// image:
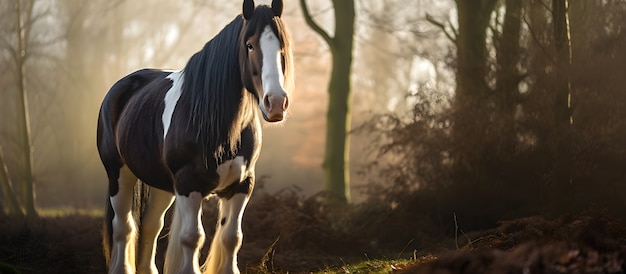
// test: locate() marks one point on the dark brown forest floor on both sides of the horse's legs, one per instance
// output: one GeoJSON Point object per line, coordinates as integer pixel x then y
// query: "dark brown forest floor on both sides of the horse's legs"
{"type": "Point", "coordinates": [588, 242]}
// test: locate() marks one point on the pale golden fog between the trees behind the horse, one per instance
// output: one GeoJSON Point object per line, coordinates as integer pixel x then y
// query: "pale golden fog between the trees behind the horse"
{"type": "Point", "coordinates": [75, 50]}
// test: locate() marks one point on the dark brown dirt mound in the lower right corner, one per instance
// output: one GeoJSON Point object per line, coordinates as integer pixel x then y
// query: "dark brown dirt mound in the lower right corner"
{"type": "Point", "coordinates": [589, 242]}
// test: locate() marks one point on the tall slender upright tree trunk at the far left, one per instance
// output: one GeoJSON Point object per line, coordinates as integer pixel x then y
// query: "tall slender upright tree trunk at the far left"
{"type": "Point", "coordinates": [27, 184]}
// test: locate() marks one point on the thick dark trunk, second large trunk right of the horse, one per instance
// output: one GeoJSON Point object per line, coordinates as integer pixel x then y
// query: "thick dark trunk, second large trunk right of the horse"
{"type": "Point", "coordinates": [471, 108]}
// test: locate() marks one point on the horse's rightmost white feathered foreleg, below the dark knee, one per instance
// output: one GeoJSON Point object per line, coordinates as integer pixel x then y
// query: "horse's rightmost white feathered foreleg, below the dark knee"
{"type": "Point", "coordinates": [228, 236]}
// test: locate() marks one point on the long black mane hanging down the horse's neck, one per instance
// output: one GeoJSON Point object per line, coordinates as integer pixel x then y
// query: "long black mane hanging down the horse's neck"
{"type": "Point", "coordinates": [213, 85]}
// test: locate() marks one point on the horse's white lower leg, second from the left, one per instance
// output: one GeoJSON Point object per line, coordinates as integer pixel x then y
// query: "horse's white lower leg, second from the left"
{"type": "Point", "coordinates": [151, 224]}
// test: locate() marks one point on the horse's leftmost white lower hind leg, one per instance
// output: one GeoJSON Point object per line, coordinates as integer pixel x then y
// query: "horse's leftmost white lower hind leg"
{"type": "Point", "coordinates": [124, 227]}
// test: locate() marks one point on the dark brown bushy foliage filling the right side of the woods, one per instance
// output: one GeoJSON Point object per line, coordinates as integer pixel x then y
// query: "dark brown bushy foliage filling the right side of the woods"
{"type": "Point", "coordinates": [485, 161]}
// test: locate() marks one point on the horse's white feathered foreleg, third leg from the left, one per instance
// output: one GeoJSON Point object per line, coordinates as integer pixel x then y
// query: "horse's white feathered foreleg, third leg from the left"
{"type": "Point", "coordinates": [187, 235]}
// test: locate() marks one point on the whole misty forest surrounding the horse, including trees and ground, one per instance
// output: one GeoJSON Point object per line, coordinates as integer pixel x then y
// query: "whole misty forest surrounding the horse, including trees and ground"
{"type": "Point", "coordinates": [485, 127]}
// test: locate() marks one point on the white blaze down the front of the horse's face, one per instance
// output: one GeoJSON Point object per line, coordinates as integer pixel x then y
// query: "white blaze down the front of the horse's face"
{"type": "Point", "coordinates": [272, 70]}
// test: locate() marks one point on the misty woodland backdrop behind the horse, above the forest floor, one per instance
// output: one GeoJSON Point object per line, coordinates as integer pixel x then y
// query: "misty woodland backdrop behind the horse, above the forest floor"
{"type": "Point", "coordinates": [491, 147]}
